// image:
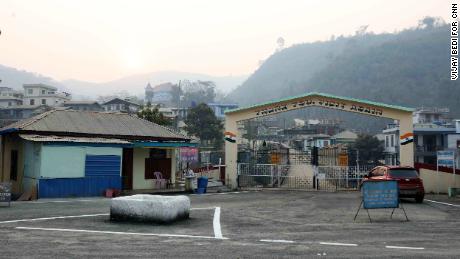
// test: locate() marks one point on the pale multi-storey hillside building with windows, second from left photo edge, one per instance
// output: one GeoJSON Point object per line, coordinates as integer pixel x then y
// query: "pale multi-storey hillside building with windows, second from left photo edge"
{"type": "Point", "coordinates": [41, 94]}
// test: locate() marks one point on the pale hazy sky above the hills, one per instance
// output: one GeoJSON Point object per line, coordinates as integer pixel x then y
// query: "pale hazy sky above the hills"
{"type": "Point", "coordinates": [104, 40]}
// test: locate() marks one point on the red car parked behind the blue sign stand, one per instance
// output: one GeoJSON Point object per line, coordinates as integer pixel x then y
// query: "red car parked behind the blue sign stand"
{"type": "Point", "coordinates": [410, 184]}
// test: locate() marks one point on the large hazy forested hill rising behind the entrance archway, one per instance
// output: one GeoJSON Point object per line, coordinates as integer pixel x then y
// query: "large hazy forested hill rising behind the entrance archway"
{"type": "Point", "coordinates": [409, 68]}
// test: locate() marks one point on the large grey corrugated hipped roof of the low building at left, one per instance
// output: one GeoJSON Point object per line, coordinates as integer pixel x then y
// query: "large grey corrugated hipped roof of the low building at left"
{"type": "Point", "coordinates": [95, 123]}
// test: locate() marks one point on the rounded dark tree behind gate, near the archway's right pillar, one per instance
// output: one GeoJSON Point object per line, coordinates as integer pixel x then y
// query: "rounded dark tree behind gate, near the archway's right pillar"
{"type": "Point", "coordinates": [370, 148]}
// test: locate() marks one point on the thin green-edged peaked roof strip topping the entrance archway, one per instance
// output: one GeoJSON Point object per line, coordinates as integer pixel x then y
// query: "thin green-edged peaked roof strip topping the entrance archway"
{"type": "Point", "coordinates": [378, 104]}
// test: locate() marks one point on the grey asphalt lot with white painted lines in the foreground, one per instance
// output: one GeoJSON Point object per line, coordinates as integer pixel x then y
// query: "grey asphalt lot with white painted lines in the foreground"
{"type": "Point", "coordinates": [235, 225]}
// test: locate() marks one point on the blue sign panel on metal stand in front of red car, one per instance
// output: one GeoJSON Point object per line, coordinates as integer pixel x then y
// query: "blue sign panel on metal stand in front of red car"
{"type": "Point", "coordinates": [380, 194]}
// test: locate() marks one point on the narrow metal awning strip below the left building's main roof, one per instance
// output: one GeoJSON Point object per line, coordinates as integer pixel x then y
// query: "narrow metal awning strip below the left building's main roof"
{"type": "Point", "coordinates": [41, 138]}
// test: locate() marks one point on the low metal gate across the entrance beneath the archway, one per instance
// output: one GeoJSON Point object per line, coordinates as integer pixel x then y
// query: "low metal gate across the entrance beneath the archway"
{"type": "Point", "coordinates": [328, 178]}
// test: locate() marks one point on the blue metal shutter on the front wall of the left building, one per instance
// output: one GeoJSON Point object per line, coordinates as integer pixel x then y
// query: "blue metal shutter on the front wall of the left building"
{"type": "Point", "coordinates": [102, 165]}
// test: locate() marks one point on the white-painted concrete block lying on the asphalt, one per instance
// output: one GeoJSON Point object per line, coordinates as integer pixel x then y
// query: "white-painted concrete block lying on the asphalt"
{"type": "Point", "coordinates": [150, 208]}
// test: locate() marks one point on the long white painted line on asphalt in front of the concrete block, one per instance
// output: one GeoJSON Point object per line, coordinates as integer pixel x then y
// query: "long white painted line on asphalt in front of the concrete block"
{"type": "Point", "coordinates": [116, 233]}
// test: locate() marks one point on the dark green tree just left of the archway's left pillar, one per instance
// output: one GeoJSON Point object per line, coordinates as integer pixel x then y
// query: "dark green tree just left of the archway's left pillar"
{"type": "Point", "coordinates": [202, 123]}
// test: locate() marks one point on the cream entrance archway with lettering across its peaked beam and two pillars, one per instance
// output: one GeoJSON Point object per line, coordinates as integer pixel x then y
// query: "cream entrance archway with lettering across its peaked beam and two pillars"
{"type": "Point", "coordinates": [382, 110]}
